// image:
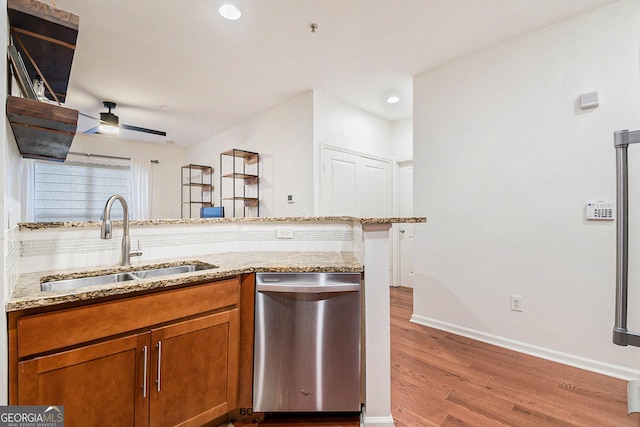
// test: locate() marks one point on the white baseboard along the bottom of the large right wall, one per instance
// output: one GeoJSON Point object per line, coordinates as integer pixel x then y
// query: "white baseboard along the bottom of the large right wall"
{"type": "Point", "coordinates": [592, 365]}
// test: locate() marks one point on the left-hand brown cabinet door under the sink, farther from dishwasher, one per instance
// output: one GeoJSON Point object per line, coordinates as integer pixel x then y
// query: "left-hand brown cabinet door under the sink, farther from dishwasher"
{"type": "Point", "coordinates": [98, 385]}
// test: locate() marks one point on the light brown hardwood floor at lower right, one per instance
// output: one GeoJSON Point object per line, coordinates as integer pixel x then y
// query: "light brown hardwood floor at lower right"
{"type": "Point", "coordinates": [442, 379]}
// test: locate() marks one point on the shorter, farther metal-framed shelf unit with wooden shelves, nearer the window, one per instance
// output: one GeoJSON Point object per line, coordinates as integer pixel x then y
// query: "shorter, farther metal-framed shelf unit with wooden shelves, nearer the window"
{"type": "Point", "coordinates": [197, 189]}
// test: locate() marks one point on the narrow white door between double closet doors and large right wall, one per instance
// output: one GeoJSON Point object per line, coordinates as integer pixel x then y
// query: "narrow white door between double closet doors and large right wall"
{"type": "Point", "coordinates": [405, 181]}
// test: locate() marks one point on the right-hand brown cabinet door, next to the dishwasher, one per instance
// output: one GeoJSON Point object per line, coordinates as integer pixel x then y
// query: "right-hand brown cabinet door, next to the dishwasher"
{"type": "Point", "coordinates": [195, 370]}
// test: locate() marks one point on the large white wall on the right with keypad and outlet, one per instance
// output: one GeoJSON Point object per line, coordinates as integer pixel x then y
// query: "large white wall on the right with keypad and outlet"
{"type": "Point", "coordinates": [504, 164]}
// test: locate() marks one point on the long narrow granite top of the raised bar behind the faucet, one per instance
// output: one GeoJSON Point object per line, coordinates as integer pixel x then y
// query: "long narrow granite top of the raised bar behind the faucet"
{"type": "Point", "coordinates": [151, 222]}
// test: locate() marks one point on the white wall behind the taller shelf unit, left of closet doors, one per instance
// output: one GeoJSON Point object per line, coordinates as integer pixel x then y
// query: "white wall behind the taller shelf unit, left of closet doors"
{"type": "Point", "coordinates": [283, 138]}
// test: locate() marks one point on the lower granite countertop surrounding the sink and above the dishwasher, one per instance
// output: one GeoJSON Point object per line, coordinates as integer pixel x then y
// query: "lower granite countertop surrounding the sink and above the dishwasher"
{"type": "Point", "coordinates": [27, 293]}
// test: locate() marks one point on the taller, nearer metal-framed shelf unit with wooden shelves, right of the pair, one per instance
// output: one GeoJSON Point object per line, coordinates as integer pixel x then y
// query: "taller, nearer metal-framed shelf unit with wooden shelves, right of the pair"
{"type": "Point", "coordinates": [244, 173]}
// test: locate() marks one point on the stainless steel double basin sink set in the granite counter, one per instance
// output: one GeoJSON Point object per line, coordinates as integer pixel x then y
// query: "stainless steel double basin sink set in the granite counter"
{"type": "Point", "coordinates": [149, 272]}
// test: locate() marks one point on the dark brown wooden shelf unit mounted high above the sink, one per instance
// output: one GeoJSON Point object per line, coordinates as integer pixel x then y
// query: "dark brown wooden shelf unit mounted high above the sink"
{"type": "Point", "coordinates": [45, 38]}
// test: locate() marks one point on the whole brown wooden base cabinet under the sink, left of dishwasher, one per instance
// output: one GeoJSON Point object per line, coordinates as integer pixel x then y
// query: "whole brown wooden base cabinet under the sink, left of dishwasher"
{"type": "Point", "coordinates": [118, 368]}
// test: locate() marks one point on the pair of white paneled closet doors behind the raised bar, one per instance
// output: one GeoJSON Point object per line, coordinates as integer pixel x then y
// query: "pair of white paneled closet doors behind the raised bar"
{"type": "Point", "coordinates": [355, 185]}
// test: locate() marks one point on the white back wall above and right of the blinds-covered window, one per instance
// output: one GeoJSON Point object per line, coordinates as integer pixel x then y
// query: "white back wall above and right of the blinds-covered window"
{"type": "Point", "coordinates": [165, 175]}
